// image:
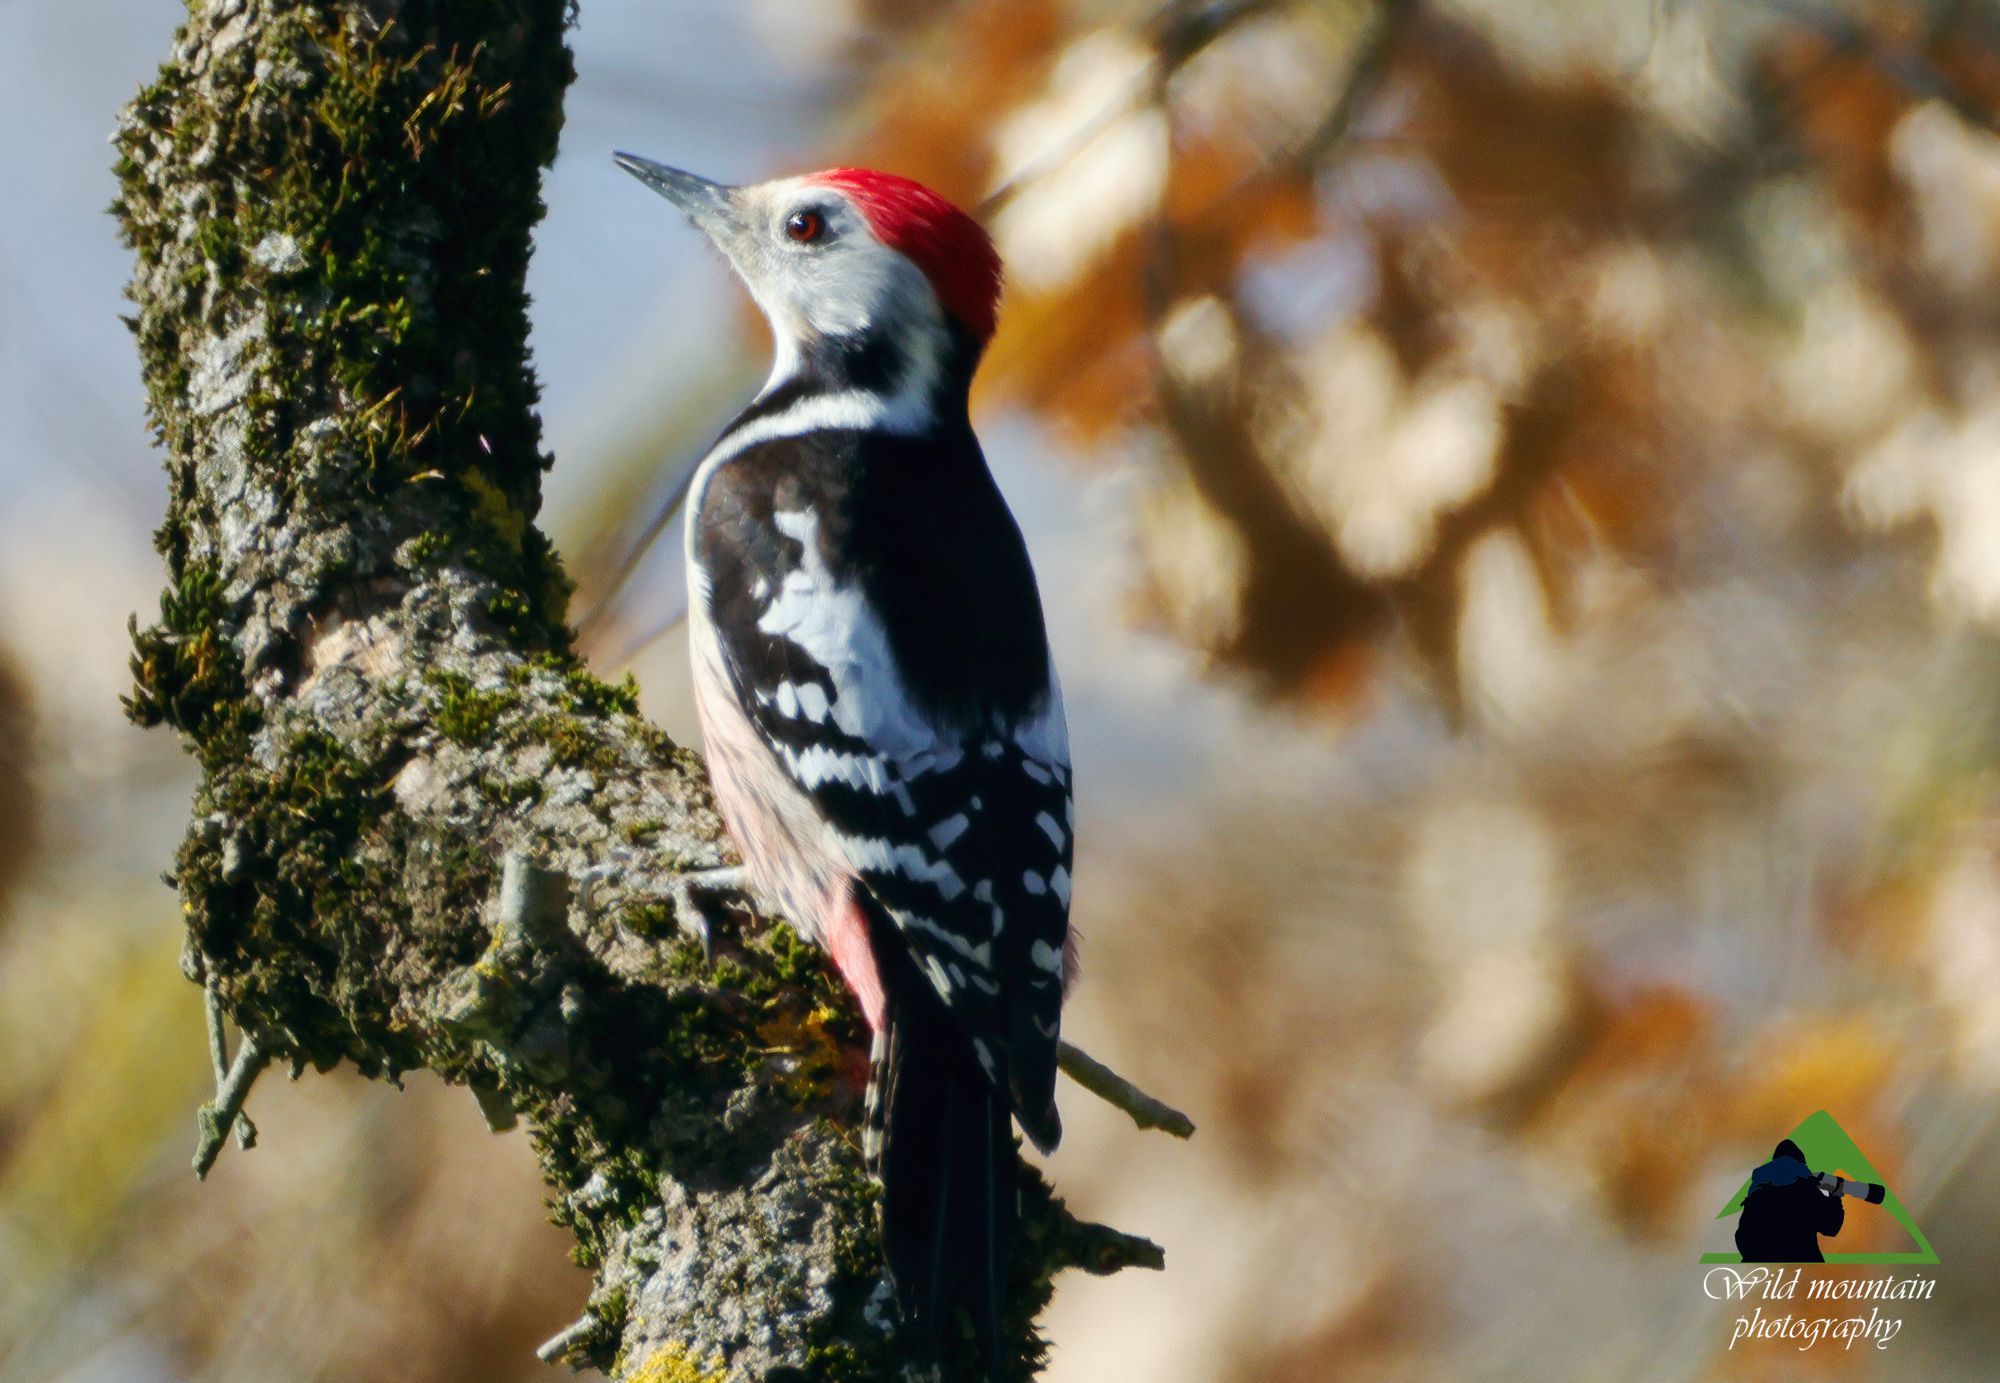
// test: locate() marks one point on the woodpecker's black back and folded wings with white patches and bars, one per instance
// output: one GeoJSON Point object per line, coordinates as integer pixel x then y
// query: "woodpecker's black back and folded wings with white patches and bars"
{"type": "Point", "coordinates": [879, 617]}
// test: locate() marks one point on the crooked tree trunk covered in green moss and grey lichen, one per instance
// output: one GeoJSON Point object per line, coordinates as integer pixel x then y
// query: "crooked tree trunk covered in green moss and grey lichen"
{"type": "Point", "coordinates": [365, 647]}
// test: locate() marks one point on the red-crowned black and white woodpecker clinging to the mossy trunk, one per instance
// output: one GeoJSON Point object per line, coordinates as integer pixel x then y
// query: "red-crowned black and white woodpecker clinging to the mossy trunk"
{"type": "Point", "coordinates": [879, 702]}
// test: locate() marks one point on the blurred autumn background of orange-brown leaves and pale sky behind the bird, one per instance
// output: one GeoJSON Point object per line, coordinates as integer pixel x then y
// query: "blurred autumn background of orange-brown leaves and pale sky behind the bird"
{"type": "Point", "coordinates": [1517, 487]}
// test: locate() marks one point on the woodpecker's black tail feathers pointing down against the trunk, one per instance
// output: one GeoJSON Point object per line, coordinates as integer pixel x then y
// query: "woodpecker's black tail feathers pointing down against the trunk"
{"type": "Point", "coordinates": [951, 1180]}
